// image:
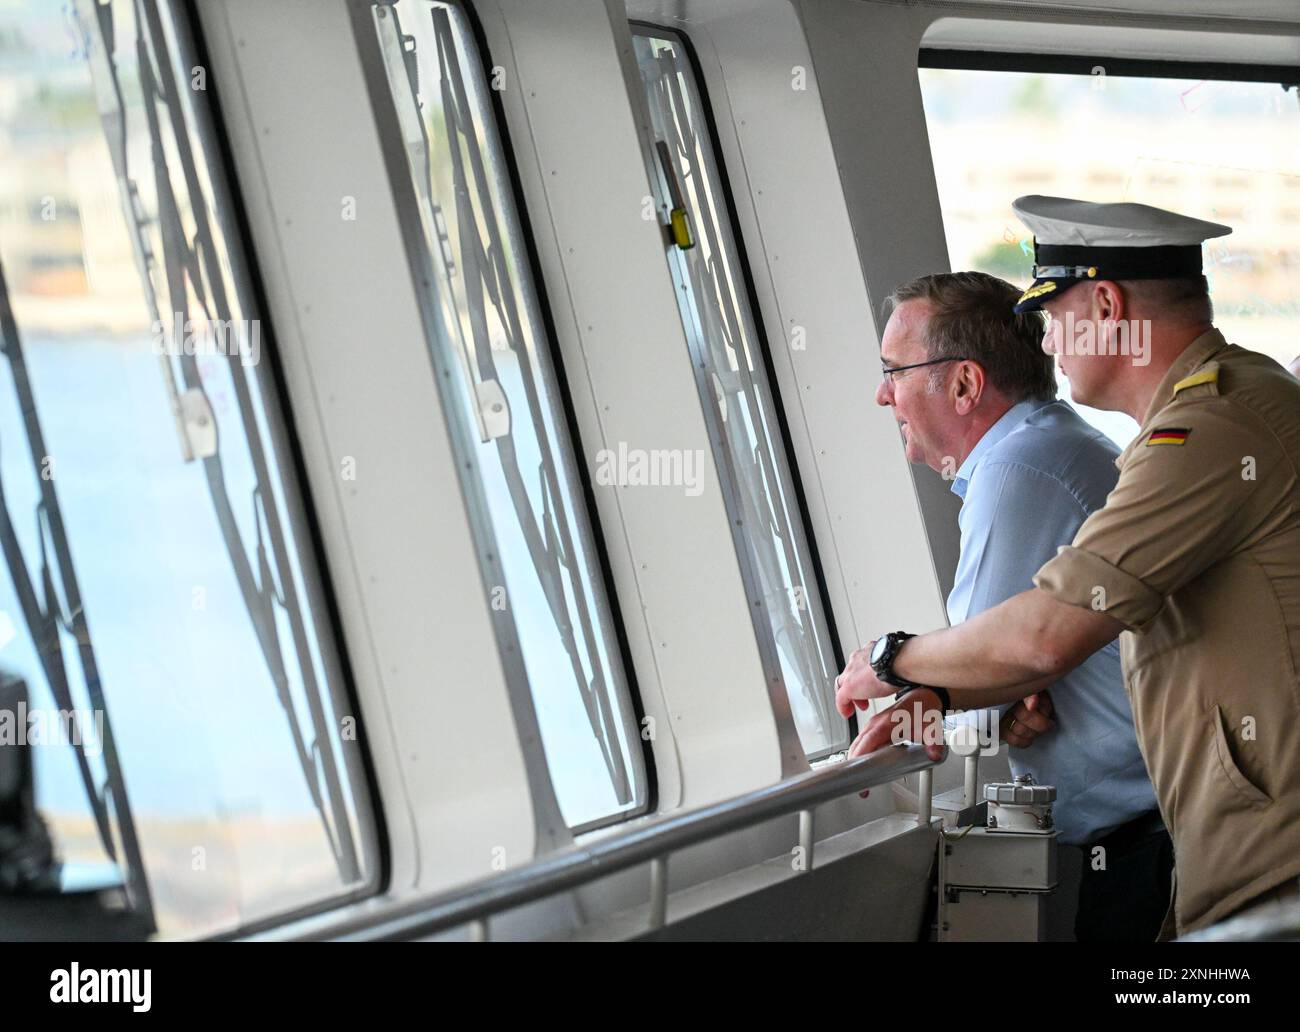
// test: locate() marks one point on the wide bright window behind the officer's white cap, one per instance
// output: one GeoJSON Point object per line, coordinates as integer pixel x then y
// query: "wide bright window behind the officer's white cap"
{"type": "Point", "coordinates": [1228, 151]}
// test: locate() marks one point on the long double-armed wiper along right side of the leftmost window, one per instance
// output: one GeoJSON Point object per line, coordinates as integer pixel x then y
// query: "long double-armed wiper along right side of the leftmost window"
{"type": "Point", "coordinates": [196, 266]}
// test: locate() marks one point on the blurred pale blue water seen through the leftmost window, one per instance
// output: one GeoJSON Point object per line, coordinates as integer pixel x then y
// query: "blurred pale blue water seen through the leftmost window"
{"type": "Point", "coordinates": [194, 710]}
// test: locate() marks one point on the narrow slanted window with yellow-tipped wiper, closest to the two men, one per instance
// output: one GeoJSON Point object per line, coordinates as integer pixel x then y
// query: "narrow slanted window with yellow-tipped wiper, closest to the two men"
{"type": "Point", "coordinates": [736, 394]}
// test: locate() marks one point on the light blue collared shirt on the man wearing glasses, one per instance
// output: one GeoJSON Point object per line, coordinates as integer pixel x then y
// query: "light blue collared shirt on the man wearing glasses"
{"type": "Point", "coordinates": [1026, 489]}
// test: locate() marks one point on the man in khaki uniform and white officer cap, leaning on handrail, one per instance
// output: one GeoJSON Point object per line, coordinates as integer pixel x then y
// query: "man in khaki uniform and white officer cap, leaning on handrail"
{"type": "Point", "coordinates": [1197, 556]}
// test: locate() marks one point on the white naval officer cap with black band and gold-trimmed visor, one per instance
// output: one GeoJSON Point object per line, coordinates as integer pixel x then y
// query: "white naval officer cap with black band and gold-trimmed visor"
{"type": "Point", "coordinates": [1076, 241]}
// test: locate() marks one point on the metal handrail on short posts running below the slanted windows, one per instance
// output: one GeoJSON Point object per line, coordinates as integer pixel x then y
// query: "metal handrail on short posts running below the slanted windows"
{"type": "Point", "coordinates": [652, 843]}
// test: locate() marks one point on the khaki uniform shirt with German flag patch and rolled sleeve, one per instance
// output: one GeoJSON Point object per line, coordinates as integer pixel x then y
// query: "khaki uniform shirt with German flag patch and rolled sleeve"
{"type": "Point", "coordinates": [1198, 553]}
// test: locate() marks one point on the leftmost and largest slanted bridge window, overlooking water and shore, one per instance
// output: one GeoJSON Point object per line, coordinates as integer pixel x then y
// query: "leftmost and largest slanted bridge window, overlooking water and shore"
{"type": "Point", "coordinates": [174, 722]}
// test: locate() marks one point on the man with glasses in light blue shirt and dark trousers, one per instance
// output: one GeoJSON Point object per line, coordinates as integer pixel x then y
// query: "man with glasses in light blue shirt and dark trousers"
{"type": "Point", "coordinates": [976, 397]}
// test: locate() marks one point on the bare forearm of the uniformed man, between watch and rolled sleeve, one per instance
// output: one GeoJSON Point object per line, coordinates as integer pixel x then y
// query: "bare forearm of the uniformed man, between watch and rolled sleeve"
{"type": "Point", "coordinates": [1007, 653]}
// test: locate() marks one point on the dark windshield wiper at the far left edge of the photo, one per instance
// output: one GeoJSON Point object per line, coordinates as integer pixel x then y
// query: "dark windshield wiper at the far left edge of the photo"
{"type": "Point", "coordinates": [45, 615]}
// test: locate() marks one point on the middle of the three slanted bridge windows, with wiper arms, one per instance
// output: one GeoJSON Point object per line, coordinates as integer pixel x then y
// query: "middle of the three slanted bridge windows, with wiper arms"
{"type": "Point", "coordinates": [489, 348]}
